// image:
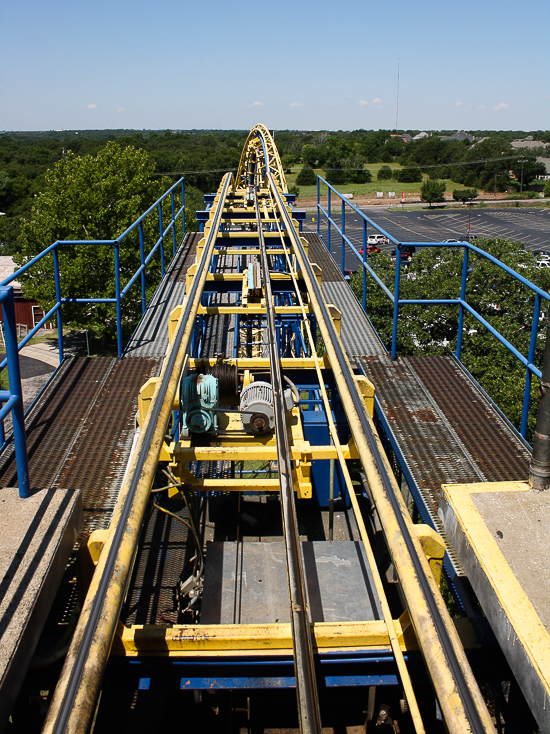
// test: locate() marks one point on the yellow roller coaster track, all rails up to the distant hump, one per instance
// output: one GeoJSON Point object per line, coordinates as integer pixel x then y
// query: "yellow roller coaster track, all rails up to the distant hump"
{"type": "Point", "coordinates": [260, 180]}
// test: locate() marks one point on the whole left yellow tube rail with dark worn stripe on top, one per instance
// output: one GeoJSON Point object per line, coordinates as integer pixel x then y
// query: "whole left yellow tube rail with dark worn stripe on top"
{"type": "Point", "coordinates": [76, 693]}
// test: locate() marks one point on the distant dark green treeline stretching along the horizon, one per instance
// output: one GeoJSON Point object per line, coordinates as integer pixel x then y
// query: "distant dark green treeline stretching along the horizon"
{"type": "Point", "coordinates": [203, 156]}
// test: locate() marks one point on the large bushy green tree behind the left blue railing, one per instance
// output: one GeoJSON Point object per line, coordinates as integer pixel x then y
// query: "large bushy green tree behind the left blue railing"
{"type": "Point", "coordinates": [90, 198]}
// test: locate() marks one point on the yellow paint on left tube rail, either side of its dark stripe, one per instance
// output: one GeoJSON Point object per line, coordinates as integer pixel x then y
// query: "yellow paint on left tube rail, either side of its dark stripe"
{"type": "Point", "coordinates": [88, 687]}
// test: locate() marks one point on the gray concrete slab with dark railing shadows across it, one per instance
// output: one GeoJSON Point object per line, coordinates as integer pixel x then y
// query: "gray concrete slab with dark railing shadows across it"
{"type": "Point", "coordinates": [37, 535]}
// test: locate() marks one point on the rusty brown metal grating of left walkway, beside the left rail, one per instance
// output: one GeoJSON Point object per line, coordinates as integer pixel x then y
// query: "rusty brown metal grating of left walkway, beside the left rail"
{"type": "Point", "coordinates": [79, 434]}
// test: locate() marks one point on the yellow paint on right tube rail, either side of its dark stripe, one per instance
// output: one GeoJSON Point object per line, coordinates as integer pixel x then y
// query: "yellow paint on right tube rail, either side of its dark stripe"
{"type": "Point", "coordinates": [442, 677]}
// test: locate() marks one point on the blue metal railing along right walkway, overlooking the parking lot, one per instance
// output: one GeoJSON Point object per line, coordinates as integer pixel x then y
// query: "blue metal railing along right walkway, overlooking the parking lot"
{"type": "Point", "coordinates": [463, 305]}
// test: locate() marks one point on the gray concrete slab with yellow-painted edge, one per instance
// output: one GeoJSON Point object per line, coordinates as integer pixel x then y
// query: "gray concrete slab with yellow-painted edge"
{"type": "Point", "coordinates": [499, 531]}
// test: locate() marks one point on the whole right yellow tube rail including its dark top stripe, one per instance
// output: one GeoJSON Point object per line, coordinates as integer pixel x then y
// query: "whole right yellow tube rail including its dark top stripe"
{"type": "Point", "coordinates": [459, 697]}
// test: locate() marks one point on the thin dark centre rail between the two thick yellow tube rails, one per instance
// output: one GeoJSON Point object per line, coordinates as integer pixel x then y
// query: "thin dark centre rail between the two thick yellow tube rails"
{"type": "Point", "coordinates": [306, 684]}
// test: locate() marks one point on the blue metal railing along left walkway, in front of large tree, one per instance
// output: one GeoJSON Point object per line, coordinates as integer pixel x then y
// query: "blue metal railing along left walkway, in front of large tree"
{"type": "Point", "coordinates": [120, 291]}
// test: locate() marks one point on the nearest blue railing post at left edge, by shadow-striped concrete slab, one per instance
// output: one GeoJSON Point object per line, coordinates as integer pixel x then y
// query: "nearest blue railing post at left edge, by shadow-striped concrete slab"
{"type": "Point", "coordinates": [16, 390]}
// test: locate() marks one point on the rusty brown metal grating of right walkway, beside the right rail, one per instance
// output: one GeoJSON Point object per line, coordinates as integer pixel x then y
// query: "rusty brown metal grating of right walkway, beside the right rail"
{"type": "Point", "coordinates": [447, 430]}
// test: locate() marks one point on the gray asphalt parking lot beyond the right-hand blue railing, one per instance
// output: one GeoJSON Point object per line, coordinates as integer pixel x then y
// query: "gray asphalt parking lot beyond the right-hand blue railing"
{"type": "Point", "coordinates": [531, 226]}
